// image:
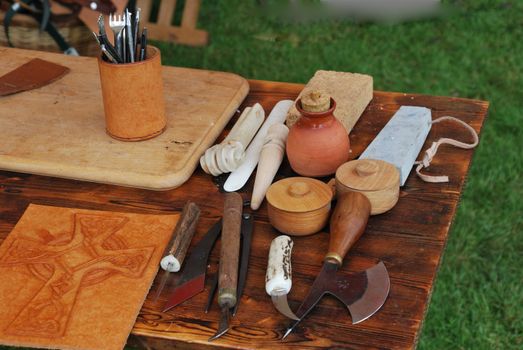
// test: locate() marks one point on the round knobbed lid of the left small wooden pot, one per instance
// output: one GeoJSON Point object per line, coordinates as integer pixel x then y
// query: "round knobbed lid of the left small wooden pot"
{"type": "Point", "coordinates": [299, 194]}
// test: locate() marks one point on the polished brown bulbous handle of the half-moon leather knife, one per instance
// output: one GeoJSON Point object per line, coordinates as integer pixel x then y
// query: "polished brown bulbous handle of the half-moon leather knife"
{"type": "Point", "coordinates": [348, 222]}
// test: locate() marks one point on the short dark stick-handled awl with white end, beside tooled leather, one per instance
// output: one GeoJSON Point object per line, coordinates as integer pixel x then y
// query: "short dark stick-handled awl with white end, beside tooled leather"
{"type": "Point", "coordinates": [180, 241]}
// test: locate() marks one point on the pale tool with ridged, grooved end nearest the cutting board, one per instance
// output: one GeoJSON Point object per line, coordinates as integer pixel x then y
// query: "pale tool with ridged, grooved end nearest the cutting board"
{"type": "Point", "coordinates": [228, 155]}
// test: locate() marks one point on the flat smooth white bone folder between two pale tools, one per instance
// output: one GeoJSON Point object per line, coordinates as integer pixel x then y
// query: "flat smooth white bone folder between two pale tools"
{"type": "Point", "coordinates": [239, 177]}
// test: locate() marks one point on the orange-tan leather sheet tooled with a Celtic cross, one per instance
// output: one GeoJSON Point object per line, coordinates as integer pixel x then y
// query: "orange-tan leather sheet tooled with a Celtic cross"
{"type": "Point", "coordinates": [76, 279]}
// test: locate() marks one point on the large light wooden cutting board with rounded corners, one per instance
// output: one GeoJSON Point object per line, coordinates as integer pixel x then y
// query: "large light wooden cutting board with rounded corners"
{"type": "Point", "coordinates": [59, 130]}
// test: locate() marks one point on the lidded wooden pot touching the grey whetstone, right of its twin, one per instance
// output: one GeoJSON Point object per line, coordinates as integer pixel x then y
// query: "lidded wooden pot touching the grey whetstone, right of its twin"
{"type": "Point", "coordinates": [379, 181]}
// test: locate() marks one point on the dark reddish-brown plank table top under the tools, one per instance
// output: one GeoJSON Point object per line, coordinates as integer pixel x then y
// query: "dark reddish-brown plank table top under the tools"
{"type": "Point", "coordinates": [410, 240]}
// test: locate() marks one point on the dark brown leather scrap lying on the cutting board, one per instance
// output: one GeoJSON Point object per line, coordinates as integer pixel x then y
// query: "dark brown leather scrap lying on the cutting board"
{"type": "Point", "coordinates": [31, 75]}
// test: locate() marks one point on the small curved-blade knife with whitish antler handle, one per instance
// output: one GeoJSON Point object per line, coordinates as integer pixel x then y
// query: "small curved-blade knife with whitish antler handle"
{"type": "Point", "coordinates": [278, 279]}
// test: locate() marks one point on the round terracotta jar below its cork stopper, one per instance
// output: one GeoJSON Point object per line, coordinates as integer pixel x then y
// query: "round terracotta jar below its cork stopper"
{"type": "Point", "coordinates": [318, 143]}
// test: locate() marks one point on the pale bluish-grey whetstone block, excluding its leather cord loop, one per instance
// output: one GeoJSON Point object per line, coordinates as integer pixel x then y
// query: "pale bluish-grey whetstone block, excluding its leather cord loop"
{"type": "Point", "coordinates": [400, 141]}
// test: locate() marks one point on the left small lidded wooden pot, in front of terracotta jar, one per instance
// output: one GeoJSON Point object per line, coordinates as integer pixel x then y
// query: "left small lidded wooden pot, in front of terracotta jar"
{"type": "Point", "coordinates": [299, 206]}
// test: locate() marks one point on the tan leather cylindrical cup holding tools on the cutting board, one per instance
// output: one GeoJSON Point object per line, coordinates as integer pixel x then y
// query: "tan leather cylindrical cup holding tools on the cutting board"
{"type": "Point", "coordinates": [133, 97]}
